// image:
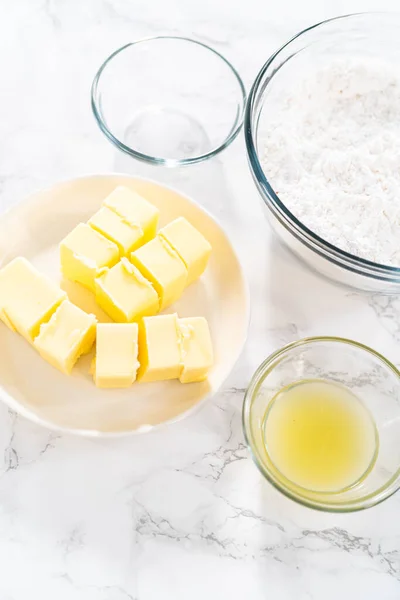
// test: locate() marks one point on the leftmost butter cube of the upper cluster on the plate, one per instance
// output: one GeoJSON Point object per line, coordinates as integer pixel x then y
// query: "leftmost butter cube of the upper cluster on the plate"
{"type": "Point", "coordinates": [84, 253]}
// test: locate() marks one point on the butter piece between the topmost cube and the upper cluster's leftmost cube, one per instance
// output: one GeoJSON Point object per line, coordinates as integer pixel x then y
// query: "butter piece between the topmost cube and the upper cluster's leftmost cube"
{"type": "Point", "coordinates": [125, 235]}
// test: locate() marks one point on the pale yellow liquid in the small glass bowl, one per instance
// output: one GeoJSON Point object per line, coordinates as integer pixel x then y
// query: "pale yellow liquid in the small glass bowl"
{"type": "Point", "coordinates": [320, 436]}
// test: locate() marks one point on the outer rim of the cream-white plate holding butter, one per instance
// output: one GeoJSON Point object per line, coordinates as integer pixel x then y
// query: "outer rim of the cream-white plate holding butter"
{"type": "Point", "coordinates": [17, 407]}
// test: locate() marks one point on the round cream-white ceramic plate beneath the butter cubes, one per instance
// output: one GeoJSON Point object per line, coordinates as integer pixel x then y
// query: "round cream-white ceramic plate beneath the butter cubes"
{"type": "Point", "coordinates": [38, 391]}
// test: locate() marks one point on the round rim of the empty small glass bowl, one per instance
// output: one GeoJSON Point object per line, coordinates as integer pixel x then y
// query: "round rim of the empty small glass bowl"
{"type": "Point", "coordinates": [157, 160]}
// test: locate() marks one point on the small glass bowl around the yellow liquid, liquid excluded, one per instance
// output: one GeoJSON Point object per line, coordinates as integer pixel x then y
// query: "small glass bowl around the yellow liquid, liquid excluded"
{"type": "Point", "coordinates": [370, 376]}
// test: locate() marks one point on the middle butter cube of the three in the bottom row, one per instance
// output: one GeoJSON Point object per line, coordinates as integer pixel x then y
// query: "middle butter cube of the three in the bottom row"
{"type": "Point", "coordinates": [159, 348]}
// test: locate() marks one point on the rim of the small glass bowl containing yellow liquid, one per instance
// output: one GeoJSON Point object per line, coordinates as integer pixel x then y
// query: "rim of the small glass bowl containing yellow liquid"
{"type": "Point", "coordinates": [266, 367]}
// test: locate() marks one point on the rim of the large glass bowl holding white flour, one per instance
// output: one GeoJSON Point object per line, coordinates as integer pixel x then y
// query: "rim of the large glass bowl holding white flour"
{"type": "Point", "coordinates": [332, 253]}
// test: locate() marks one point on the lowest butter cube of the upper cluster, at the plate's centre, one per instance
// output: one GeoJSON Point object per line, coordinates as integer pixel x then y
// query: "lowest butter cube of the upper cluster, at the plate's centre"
{"type": "Point", "coordinates": [124, 294]}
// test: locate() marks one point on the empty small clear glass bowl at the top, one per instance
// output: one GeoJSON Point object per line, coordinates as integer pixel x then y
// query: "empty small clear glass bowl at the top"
{"type": "Point", "coordinates": [168, 100]}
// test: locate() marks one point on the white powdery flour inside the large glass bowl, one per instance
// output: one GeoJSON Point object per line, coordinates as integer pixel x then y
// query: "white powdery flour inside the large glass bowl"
{"type": "Point", "coordinates": [332, 155]}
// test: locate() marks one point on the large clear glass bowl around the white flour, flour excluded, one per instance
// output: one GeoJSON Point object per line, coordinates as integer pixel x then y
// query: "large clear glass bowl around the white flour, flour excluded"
{"type": "Point", "coordinates": [361, 35]}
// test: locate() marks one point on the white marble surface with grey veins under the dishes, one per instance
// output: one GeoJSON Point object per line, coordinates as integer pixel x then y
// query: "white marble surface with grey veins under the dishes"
{"type": "Point", "coordinates": [182, 512]}
